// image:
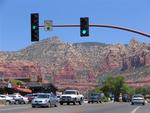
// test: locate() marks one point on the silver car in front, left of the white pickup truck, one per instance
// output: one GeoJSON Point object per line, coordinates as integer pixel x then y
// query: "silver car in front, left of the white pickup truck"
{"type": "Point", "coordinates": [45, 100]}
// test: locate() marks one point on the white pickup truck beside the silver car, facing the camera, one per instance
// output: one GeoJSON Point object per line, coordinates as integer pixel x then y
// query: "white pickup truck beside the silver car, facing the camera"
{"type": "Point", "coordinates": [71, 96]}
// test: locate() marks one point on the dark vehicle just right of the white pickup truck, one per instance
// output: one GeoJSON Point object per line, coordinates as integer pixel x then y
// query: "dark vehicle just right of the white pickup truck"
{"type": "Point", "coordinates": [94, 98]}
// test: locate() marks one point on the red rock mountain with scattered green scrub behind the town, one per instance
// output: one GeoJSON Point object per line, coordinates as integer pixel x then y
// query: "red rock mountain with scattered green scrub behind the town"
{"type": "Point", "coordinates": [78, 65]}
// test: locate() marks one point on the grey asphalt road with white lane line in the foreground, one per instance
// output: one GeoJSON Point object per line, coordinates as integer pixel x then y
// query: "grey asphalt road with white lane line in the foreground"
{"type": "Point", "coordinates": [85, 108]}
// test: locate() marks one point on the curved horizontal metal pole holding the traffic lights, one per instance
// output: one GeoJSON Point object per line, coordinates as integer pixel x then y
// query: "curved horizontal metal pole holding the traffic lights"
{"type": "Point", "coordinates": [105, 26]}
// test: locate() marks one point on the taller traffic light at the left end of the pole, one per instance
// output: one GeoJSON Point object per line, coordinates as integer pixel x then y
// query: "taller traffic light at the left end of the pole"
{"type": "Point", "coordinates": [34, 27]}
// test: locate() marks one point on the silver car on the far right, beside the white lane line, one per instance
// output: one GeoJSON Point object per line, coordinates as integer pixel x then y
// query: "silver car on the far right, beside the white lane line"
{"type": "Point", "coordinates": [137, 99]}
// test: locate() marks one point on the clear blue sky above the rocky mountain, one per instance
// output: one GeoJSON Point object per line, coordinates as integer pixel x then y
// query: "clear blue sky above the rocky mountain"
{"type": "Point", "coordinates": [15, 20]}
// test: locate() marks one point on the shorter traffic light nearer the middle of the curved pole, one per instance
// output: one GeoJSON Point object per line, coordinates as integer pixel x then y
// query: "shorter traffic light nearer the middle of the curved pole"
{"type": "Point", "coordinates": [84, 26]}
